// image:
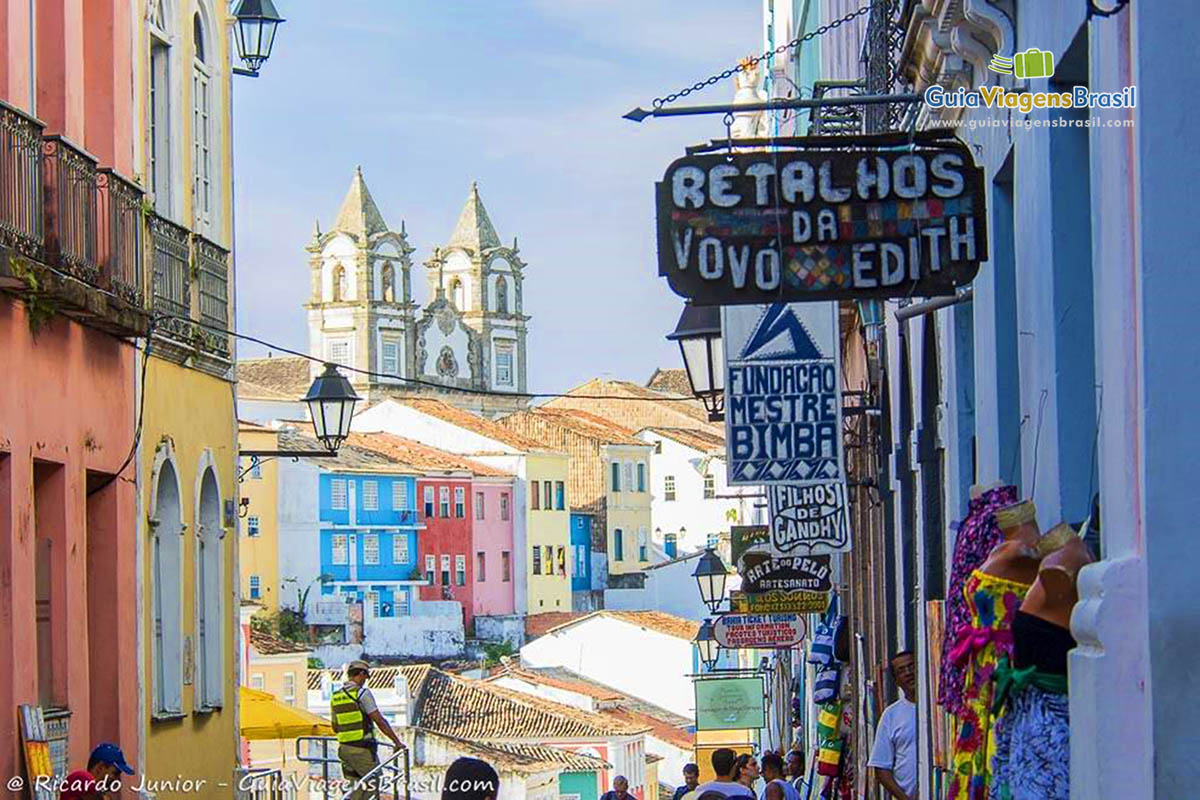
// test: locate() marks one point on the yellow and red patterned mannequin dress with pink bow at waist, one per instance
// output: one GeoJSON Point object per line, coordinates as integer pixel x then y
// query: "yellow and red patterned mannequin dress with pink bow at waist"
{"type": "Point", "coordinates": [993, 604]}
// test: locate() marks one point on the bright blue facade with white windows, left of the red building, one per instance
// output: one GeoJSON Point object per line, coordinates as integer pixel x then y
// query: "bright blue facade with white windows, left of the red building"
{"type": "Point", "coordinates": [369, 530]}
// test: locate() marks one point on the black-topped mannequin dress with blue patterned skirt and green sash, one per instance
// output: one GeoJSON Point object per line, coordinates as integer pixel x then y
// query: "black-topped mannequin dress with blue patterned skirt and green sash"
{"type": "Point", "coordinates": [1034, 736]}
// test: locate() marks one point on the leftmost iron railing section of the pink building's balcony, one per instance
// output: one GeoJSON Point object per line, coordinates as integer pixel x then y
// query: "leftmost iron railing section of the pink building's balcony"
{"type": "Point", "coordinates": [21, 182]}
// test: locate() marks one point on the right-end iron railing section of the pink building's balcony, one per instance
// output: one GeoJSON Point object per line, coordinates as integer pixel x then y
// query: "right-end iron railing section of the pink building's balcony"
{"type": "Point", "coordinates": [122, 236]}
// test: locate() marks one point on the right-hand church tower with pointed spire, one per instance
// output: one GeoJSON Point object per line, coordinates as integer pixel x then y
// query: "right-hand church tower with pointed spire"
{"type": "Point", "coordinates": [482, 280]}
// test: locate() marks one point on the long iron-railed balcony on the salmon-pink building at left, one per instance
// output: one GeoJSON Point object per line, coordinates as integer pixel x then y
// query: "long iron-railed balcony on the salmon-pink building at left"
{"type": "Point", "coordinates": [71, 236]}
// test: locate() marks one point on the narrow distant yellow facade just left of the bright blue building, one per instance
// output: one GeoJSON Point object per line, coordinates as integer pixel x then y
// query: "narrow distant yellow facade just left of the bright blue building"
{"type": "Point", "coordinates": [259, 539]}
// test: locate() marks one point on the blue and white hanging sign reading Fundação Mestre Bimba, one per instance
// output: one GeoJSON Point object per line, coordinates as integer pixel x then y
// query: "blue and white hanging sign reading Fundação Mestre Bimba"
{"type": "Point", "coordinates": [783, 394]}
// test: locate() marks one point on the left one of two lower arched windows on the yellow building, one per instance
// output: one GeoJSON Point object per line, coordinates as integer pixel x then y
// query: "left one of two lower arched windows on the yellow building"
{"type": "Point", "coordinates": [166, 600]}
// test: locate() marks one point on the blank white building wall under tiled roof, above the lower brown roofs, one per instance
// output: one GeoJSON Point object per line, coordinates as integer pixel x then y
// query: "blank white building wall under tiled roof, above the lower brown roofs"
{"type": "Point", "coordinates": [634, 660]}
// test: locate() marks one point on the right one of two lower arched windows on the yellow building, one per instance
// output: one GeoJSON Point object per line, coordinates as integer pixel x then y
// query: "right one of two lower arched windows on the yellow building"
{"type": "Point", "coordinates": [209, 606]}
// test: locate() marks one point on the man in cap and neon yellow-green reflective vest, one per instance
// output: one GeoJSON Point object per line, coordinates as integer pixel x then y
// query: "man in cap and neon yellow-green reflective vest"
{"type": "Point", "coordinates": [356, 717]}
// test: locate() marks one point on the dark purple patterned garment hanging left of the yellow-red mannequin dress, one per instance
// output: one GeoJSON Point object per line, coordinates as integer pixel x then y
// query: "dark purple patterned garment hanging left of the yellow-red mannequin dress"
{"type": "Point", "coordinates": [977, 537]}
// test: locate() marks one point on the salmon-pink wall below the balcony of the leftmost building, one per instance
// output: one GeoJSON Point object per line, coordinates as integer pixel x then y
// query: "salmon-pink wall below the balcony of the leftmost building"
{"type": "Point", "coordinates": [64, 426]}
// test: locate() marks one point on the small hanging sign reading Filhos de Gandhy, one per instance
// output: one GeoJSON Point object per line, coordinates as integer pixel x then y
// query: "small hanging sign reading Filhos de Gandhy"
{"type": "Point", "coordinates": [807, 520]}
